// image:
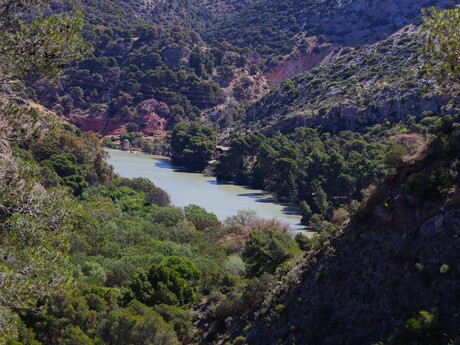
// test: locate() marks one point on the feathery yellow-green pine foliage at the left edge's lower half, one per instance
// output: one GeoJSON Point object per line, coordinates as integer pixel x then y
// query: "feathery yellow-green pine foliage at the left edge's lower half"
{"type": "Point", "coordinates": [35, 226]}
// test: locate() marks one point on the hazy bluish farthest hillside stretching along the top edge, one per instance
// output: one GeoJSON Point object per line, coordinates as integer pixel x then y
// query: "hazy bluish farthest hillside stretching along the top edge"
{"type": "Point", "coordinates": [273, 29]}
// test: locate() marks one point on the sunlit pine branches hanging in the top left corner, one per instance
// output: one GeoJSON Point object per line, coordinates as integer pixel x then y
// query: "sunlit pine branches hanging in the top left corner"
{"type": "Point", "coordinates": [34, 43]}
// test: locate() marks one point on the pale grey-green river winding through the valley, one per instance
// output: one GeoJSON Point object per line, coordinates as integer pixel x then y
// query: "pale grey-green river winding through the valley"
{"type": "Point", "coordinates": [185, 188]}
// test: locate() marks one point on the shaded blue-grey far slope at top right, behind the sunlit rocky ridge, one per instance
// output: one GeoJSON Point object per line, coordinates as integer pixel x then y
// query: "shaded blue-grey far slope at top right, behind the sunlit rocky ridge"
{"type": "Point", "coordinates": [271, 27]}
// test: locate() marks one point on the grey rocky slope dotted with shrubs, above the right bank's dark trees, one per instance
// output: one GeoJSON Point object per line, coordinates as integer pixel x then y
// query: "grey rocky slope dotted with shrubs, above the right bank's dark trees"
{"type": "Point", "coordinates": [384, 81]}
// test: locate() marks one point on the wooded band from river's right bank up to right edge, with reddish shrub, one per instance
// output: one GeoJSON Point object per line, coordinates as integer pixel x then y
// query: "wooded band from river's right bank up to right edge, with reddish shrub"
{"type": "Point", "coordinates": [326, 174]}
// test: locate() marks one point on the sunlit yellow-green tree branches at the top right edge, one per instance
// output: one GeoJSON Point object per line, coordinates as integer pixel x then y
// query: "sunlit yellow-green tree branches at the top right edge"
{"type": "Point", "coordinates": [442, 30]}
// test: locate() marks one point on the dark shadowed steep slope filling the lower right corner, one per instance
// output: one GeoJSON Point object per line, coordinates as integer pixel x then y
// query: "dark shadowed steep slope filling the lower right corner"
{"type": "Point", "coordinates": [392, 276]}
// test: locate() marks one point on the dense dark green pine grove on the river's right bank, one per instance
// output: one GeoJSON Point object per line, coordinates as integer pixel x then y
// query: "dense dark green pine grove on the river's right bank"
{"type": "Point", "coordinates": [307, 166]}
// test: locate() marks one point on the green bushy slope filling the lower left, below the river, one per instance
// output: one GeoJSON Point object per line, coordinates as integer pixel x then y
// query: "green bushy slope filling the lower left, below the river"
{"type": "Point", "coordinates": [91, 258]}
